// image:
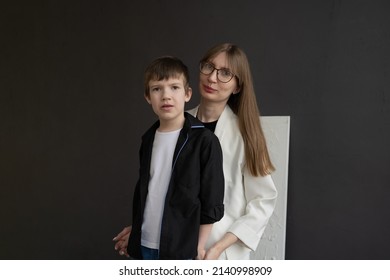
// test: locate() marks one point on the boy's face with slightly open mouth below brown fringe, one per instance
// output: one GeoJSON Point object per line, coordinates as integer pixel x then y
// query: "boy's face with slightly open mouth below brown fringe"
{"type": "Point", "coordinates": [168, 98]}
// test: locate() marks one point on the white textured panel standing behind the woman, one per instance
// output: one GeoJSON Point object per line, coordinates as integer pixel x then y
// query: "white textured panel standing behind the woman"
{"type": "Point", "coordinates": [277, 134]}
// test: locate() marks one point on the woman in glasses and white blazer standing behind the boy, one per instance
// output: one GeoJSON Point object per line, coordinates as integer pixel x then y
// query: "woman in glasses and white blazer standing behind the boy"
{"type": "Point", "coordinates": [228, 107]}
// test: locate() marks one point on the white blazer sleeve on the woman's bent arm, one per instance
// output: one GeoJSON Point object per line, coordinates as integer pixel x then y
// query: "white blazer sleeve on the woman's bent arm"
{"type": "Point", "coordinates": [261, 194]}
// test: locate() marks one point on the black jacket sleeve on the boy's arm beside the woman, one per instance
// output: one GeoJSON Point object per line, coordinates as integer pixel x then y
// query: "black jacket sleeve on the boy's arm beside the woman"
{"type": "Point", "coordinates": [212, 181]}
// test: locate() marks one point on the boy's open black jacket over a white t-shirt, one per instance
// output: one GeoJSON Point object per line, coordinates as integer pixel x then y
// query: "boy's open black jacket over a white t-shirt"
{"type": "Point", "coordinates": [195, 192]}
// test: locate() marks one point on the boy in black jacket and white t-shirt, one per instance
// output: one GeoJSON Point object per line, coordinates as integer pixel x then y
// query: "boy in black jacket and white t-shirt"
{"type": "Point", "coordinates": [179, 193]}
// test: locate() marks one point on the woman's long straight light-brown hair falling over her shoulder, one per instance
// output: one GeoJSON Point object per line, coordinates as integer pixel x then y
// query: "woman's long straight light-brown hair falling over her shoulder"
{"type": "Point", "coordinates": [244, 105]}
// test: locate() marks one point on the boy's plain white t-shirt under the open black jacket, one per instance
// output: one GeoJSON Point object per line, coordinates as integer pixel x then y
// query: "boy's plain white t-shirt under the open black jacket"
{"type": "Point", "coordinates": [160, 174]}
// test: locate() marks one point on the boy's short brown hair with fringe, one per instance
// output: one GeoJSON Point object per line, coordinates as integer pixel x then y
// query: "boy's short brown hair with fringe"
{"type": "Point", "coordinates": [164, 68]}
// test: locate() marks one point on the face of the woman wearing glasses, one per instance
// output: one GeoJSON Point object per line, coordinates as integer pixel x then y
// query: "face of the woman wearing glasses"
{"type": "Point", "coordinates": [211, 89]}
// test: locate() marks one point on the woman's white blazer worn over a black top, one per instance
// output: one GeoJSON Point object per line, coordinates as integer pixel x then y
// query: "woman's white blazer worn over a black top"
{"type": "Point", "coordinates": [249, 201]}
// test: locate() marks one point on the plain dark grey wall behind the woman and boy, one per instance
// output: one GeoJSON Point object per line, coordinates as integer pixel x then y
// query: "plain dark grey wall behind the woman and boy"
{"type": "Point", "coordinates": [72, 113]}
